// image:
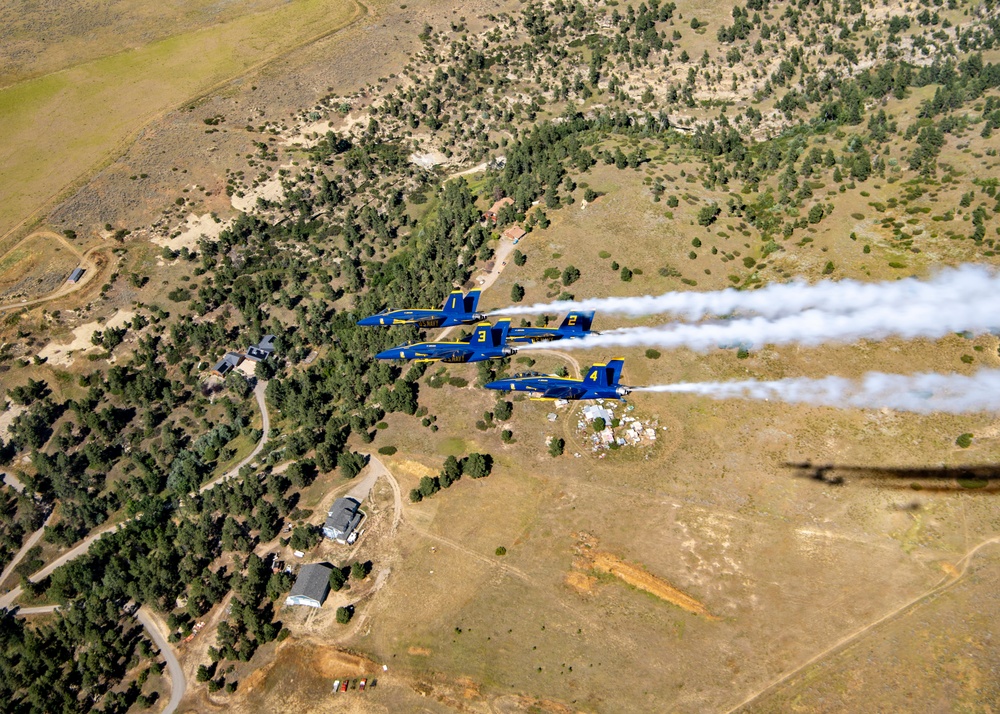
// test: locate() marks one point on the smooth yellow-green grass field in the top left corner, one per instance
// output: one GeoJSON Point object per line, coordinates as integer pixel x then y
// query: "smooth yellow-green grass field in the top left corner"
{"type": "Point", "coordinates": [59, 126]}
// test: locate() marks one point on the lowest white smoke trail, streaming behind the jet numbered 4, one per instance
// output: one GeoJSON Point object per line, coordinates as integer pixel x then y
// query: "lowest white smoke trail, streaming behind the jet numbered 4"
{"type": "Point", "coordinates": [922, 393]}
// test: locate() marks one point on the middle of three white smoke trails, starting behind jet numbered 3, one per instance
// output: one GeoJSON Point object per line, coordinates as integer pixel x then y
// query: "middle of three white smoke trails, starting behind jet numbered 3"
{"type": "Point", "coordinates": [812, 327]}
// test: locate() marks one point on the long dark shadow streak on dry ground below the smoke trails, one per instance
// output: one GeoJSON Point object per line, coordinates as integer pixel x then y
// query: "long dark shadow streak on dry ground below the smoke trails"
{"type": "Point", "coordinates": [933, 479]}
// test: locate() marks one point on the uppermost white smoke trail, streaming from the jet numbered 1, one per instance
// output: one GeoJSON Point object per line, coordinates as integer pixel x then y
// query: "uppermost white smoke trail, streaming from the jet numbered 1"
{"type": "Point", "coordinates": [956, 285]}
